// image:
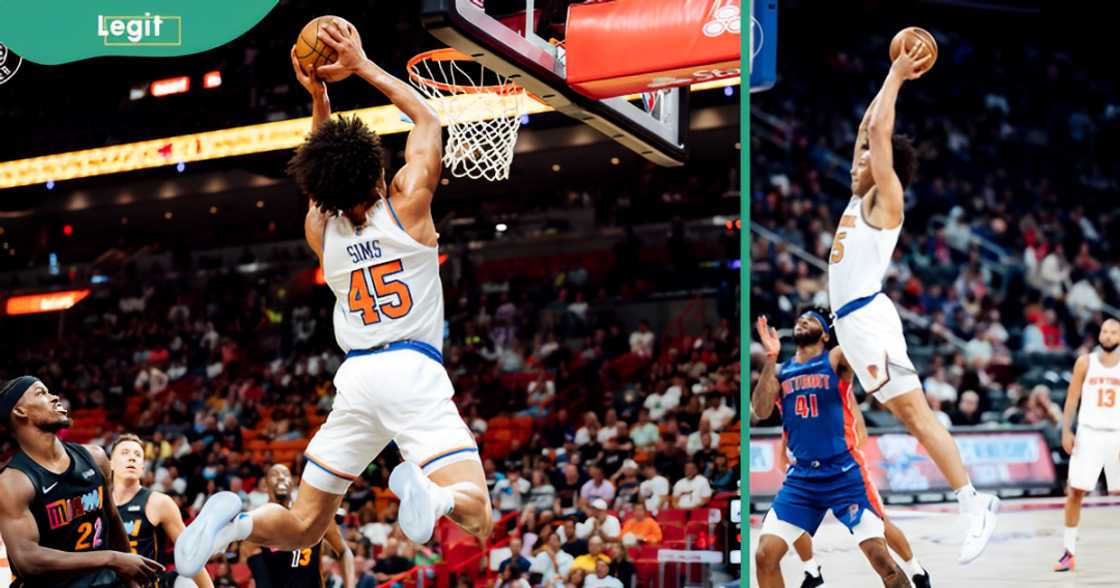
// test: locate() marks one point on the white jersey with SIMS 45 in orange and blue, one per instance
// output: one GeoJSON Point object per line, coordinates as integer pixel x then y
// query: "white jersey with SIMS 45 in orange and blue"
{"type": "Point", "coordinates": [387, 285]}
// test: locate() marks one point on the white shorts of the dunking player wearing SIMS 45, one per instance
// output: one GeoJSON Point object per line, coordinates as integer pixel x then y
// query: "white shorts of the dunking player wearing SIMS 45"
{"type": "Point", "coordinates": [396, 396]}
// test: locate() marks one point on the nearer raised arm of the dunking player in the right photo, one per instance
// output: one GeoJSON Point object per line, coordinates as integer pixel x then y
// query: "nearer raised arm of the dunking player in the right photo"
{"type": "Point", "coordinates": [889, 199]}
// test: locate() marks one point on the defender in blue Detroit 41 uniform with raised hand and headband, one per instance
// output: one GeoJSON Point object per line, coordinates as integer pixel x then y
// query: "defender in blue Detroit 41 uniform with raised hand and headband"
{"type": "Point", "coordinates": [829, 472]}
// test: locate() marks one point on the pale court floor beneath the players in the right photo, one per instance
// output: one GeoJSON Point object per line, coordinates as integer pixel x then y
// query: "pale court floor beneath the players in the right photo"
{"type": "Point", "coordinates": [1023, 552]}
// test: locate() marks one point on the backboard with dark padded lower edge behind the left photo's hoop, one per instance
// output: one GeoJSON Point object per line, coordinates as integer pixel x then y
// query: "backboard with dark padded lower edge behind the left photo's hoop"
{"type": "Point", "coordinates": [512, 48]}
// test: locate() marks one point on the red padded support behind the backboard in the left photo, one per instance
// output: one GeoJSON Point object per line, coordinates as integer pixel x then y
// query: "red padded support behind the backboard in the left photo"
{"type": "Point", "coordinates": [630, 46]}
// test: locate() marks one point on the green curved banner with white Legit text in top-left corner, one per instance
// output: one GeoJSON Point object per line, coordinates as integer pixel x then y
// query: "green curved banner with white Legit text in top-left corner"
{"type": "Point", "coordinates": [58, 32]}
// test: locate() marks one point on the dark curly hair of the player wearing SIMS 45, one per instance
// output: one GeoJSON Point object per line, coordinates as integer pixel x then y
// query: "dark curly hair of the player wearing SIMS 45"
{"type": "Point", "coordinates": [339, 165]}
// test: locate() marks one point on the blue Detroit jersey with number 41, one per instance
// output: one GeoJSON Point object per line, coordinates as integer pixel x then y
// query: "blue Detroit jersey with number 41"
{"type": "Point", "coordinates": [817, 416]}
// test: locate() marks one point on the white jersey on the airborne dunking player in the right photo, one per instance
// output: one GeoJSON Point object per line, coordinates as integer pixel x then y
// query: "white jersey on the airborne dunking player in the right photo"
{"type": "Point", "coordinates": [861, 257]}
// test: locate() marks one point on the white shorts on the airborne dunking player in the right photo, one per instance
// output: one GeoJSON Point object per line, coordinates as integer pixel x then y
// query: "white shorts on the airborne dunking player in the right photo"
{"type": "Point", "coordinates": [873, 341]}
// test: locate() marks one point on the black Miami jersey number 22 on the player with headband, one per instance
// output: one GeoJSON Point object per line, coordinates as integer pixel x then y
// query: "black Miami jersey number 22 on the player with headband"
{"type": "Point", "coordinates": [70, 512]}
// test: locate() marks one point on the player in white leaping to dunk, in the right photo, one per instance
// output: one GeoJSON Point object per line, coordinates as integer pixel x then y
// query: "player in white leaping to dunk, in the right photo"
{"type": "Point", "coordinates": [866, 321]}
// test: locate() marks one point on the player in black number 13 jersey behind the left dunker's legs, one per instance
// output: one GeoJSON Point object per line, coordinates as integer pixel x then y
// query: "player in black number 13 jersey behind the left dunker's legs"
{"type": "Point", "coordinates": [302, 568]}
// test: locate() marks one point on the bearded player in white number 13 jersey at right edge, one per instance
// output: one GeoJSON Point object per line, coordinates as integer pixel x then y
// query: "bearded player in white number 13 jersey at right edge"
{"type": "Point", "coordinates": [1096, 385]}
